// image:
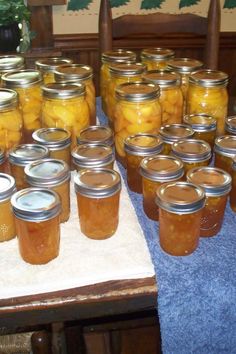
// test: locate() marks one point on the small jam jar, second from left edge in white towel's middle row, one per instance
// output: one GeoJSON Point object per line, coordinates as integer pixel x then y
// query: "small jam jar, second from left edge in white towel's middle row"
{"type": "Point", "coordinates": [20, 156]}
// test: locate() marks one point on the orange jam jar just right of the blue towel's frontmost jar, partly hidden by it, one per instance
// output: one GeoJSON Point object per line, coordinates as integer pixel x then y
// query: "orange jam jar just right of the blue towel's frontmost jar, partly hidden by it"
{"type": "Point", "coordinates": [217, 184]}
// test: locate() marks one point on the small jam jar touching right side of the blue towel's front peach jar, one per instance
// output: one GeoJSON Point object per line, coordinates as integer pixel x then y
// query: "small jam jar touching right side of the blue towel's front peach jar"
{"type": "Point", "coordinates": [170, 133]}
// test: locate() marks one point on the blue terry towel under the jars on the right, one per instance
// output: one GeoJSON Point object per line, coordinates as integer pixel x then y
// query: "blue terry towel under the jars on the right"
{"type": "Point", "coordinates": [196, 293]}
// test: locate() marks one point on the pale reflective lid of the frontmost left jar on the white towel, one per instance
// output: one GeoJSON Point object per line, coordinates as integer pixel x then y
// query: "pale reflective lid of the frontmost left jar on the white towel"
{"type": "Point", "coordinates": [36, 204]}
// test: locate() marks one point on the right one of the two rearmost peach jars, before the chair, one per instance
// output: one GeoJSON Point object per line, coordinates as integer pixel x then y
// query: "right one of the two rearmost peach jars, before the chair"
{"type": "Point", "coordinates": [156, 58]}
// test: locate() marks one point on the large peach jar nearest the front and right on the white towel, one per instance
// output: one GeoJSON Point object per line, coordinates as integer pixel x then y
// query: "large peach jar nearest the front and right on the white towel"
{"type": "Point", "coordinates": [64, 106]}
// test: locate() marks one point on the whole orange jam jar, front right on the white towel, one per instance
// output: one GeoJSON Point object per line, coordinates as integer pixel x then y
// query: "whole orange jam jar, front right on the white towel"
{"type": "Point", "coordinates": [98, 197]}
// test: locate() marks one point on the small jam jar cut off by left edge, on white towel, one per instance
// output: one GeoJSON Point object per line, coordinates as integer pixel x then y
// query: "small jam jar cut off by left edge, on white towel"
{"type": "Point", "coordinates": [7, 223]}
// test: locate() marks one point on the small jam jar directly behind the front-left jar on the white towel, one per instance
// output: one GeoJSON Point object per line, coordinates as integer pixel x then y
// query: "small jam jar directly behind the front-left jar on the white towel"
{"type": "Point", "coordinates": [53, 174]}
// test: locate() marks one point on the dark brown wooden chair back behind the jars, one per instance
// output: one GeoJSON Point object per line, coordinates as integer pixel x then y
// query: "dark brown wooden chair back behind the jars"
{"type": "Point", "coordinates": [163, 25]}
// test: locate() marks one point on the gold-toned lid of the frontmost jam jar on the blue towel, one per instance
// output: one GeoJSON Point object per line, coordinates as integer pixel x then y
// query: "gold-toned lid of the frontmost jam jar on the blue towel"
{"type": "Point", "coordinates": [180, 197]}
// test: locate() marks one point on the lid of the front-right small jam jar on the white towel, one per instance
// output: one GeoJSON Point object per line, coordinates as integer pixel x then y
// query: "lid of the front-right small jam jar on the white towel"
{"type": "Point", "coordinates": [97, 182]}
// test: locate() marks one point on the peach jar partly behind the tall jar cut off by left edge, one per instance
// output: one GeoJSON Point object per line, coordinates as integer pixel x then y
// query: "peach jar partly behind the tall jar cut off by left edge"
{"type": "Point", "coordinates": [28, 85]}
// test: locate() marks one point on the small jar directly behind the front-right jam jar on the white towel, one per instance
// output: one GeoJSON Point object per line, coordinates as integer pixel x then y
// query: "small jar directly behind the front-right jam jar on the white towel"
{"type": "Point", "coordinates": [93, 155]}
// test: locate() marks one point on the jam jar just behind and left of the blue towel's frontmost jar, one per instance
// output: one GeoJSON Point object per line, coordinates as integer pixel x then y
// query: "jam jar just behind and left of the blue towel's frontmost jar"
{"type": "Point", "coordinates": [155, 171]}
